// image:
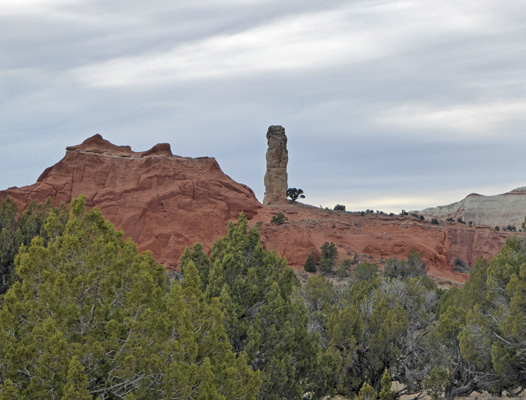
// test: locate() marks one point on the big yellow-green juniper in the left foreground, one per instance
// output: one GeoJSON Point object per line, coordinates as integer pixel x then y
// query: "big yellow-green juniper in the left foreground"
{"type": "Point", "coordinates": [89, 315]}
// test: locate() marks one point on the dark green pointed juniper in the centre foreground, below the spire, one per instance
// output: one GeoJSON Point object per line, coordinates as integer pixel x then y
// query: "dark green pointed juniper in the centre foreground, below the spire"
{"type": "Point", "coordinates": [262, 319]}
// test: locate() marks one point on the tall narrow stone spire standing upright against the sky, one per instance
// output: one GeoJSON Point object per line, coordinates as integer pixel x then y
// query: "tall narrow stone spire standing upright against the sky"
{"type": "Point", "coordinates": [276, 181]}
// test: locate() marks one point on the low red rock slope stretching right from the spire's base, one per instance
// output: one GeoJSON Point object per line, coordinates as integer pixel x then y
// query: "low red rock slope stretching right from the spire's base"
{"type": "Point", "coordinates": [376, 238]}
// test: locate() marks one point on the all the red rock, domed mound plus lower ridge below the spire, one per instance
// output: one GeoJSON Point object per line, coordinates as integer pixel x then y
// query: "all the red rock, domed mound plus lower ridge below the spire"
{"type": "Point", "coordinates": [166, 202]}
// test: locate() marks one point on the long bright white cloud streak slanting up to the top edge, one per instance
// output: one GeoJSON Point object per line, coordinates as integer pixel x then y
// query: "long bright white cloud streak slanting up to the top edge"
{"type": "Point", "coordinates": [343, 37]}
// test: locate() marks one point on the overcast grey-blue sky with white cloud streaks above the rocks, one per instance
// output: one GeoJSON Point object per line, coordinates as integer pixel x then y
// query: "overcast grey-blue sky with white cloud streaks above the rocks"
{"type": "Point", "coordinates": [387, 105]}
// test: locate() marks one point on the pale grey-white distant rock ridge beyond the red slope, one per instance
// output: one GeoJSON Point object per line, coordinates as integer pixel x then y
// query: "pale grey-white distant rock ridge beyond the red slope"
{"type": "Point", "coordinates": [500, 210]}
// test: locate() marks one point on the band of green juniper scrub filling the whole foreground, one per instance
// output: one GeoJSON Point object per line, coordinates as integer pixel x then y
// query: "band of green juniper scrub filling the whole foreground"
{"type": "Point", "coordinates": [84, 316]}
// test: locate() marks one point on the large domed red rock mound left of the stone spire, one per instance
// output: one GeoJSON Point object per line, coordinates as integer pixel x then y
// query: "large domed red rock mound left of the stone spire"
{"type": "Point", "coordinates": [163, 202]}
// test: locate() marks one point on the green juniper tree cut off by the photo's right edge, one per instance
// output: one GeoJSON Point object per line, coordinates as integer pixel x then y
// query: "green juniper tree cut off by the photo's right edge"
{"type": "Point", "coordinates": [492, 340]}
